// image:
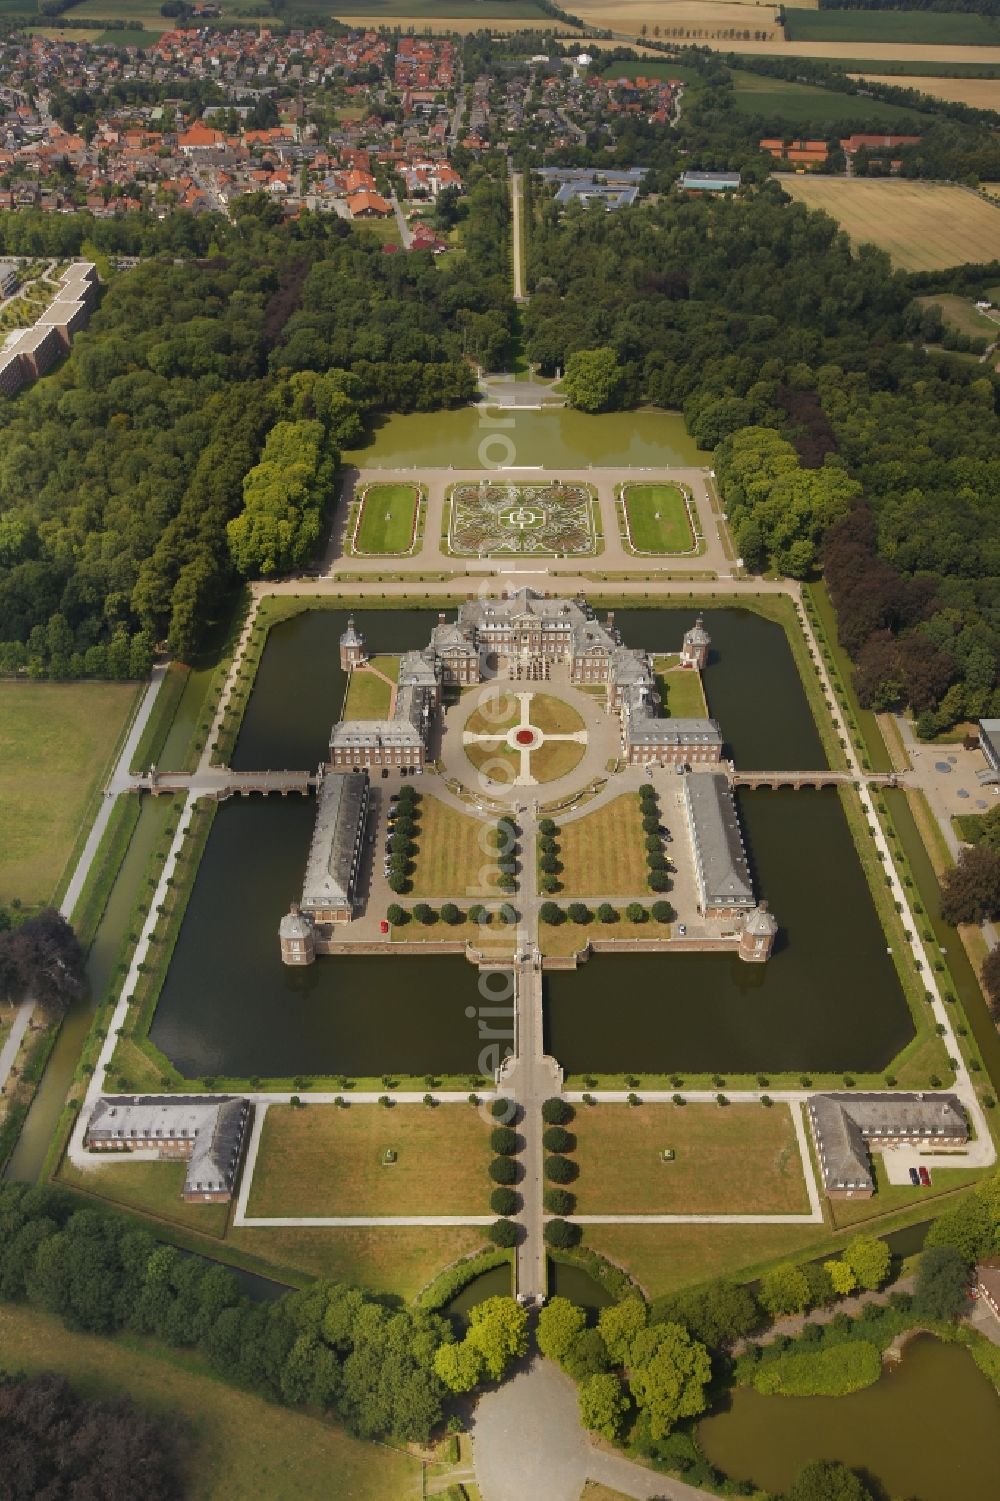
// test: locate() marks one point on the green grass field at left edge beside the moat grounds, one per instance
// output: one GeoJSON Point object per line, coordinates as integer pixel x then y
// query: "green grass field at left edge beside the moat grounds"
{"type": "Point", "coordinates": [56, 744]}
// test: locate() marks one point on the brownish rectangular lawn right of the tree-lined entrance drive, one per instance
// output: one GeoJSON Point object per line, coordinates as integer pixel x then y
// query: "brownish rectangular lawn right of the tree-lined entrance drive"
{"type": "Point", "coordinates": [736, 1161]}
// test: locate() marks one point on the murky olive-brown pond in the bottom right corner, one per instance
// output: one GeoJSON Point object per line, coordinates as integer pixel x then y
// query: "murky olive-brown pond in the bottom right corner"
{"type": "Point", "coordinates": [929, 1431]}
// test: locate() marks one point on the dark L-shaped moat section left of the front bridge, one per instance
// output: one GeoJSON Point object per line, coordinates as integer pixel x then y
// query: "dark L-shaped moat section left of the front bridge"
{"type": "Point", "coordinates": [230, 1008]}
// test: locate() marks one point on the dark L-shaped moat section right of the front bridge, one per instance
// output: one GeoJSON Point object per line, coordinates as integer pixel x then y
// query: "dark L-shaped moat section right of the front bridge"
{"type": "Point", "coordinates": [830, 999]}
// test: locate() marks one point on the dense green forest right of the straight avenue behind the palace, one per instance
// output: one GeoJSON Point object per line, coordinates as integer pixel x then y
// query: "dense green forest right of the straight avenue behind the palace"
{"type": "Point", "coordinates": [755, 316]}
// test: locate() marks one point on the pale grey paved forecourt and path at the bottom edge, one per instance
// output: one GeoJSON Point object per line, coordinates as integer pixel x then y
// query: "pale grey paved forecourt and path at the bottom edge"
{"type": "Point", "coordinates": [529, 1446]}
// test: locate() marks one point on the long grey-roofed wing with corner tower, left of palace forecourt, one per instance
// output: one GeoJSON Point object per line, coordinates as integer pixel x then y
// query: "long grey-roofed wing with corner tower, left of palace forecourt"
{"type": "Point", "coordinates": [330, 888]}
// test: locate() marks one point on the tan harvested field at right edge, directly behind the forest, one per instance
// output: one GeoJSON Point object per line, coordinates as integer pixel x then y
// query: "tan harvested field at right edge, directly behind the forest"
{"type": "Point", "coordinates": [924, 227]}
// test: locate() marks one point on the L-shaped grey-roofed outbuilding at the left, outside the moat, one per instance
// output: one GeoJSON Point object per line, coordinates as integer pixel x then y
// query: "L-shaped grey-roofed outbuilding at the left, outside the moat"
{"type": "Point", "coordinates": [205, 1131]}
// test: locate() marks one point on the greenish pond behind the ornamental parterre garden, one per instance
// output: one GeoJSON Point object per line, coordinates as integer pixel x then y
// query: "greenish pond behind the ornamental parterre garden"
{"type": "Point", "coordinates": [492, 438]}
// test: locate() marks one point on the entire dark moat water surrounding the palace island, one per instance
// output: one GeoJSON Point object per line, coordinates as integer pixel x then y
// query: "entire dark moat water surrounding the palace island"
{"type": "Point", "coordinates": [828, 1000]}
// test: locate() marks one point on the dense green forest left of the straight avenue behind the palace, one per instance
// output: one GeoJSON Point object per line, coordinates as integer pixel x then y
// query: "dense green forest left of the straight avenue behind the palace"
{"type": "Point", "coordinates": [121, 474]}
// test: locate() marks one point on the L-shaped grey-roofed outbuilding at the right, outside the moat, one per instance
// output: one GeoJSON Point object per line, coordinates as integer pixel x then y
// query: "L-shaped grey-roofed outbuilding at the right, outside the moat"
{"type": "Point", "coordinates": [848, 1127]}
